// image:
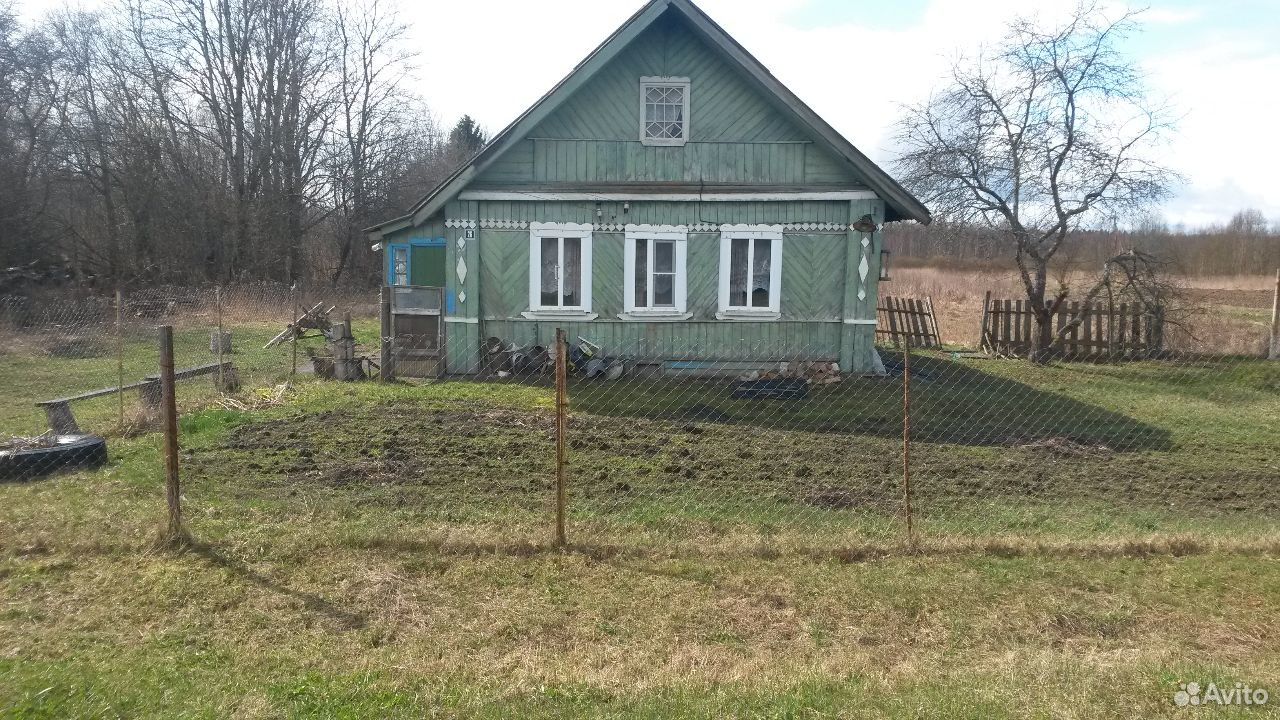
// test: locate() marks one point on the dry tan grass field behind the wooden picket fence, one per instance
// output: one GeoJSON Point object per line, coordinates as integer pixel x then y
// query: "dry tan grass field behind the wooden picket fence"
{"type": "Point", "coordinates": [1229, 315]}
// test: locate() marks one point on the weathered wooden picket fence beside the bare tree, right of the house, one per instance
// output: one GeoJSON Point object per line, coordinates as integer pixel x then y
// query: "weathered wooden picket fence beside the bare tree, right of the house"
{"type": "Point", "coordinates": [1119, 332]}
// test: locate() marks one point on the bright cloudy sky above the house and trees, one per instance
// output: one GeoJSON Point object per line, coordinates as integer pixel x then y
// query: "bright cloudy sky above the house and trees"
{"type": "Point", "coordinates": [856, 62]}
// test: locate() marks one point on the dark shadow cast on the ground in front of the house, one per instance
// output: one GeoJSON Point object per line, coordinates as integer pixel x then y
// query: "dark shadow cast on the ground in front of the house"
{"type": "Point", "coordinates": [952, 403]}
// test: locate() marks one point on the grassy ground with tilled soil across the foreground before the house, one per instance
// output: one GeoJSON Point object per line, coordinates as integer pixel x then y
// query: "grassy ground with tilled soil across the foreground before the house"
{"type": "Point", "coordinates": [371, 550]}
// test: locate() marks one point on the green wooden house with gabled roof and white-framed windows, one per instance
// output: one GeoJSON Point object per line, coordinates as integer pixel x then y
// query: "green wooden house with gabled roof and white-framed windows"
{"type": "Point", "coordinates": [670, 200]}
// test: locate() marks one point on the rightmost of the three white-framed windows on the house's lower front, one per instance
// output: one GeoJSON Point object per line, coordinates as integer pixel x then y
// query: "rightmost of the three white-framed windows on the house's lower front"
{"type": "Point", "coordinates": [751, 279]}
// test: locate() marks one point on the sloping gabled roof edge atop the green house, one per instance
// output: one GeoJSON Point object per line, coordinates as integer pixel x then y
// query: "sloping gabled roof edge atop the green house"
{"type": "Point", "coordinates": [900, 204]}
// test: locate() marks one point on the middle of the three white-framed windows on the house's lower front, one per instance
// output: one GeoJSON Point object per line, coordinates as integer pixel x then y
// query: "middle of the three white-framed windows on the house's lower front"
{"type": "Point", "coordinates": [655, 271]}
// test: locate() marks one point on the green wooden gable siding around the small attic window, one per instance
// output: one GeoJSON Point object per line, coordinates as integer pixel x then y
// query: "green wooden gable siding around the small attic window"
{"type": "Point", "coordinates": [737, 134]}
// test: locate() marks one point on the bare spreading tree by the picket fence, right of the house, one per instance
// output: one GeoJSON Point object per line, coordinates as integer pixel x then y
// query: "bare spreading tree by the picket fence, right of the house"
{"type": "Point", "coordinates": [1037, 138]}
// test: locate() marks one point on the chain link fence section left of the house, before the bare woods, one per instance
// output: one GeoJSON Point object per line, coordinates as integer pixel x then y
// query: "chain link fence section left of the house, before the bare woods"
{"type": "Point", "coordinates": [81, 368]}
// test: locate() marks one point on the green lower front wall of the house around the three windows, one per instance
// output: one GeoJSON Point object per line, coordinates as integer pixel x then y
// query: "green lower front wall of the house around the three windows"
{"type": "Point", "coordinates": [820, 284]}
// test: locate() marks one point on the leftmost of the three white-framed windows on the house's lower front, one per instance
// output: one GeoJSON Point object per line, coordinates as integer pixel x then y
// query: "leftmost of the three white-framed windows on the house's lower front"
{"type": "Point", "coordinates": [560, 268]}
